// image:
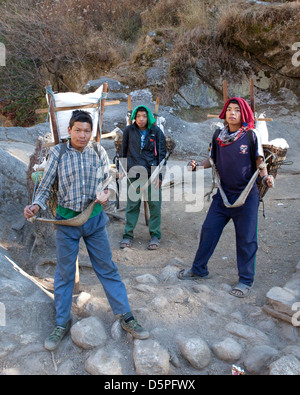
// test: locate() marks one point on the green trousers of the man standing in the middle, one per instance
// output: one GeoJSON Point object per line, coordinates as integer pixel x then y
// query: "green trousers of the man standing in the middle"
{"type": "Point", "coordinates": [133, 210]}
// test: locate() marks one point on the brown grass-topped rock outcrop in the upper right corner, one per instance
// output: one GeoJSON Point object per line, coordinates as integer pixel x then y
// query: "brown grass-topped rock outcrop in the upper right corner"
{"type": "Point", "coordinates": [269, 42]}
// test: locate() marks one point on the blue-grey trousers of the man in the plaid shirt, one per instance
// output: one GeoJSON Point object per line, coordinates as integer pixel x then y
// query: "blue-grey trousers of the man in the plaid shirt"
{"type": "Point", "coordinates": [95, 236]}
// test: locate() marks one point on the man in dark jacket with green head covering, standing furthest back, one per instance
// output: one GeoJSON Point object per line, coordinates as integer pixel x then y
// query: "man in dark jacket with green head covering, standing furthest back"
{"type": "Point", "coordinates": [144, 147]}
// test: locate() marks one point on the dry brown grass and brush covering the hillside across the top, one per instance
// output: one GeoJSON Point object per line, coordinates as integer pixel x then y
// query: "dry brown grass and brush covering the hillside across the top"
{"type": "Point", "coordinates": [73, 41]}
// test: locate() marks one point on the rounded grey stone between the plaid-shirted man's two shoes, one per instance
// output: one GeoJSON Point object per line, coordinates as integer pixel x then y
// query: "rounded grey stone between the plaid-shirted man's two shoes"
{"type": "Point", "coordinates": [89, 333]}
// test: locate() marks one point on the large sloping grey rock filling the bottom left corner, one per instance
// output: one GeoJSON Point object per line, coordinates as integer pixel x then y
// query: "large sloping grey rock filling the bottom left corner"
{"type": "Point", "coordinates": [26, 315]}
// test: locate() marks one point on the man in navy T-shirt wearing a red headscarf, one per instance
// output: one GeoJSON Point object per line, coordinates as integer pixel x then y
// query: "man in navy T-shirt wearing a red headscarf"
{"type": "Point", "coordinates": [232, 153]}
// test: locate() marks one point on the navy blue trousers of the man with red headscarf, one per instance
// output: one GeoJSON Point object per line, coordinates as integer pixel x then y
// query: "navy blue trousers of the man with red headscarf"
{"type": "Point", "coordinates": [245, 223]}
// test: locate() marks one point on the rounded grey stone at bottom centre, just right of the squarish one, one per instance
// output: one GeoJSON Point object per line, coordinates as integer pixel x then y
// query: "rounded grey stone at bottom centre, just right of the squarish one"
{"type": "Point", "coordinates": [196, 351]}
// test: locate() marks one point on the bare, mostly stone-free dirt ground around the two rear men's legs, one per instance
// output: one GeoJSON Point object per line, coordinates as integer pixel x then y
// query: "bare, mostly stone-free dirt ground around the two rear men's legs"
{"type": "Point", "coordinates": [278, 238]}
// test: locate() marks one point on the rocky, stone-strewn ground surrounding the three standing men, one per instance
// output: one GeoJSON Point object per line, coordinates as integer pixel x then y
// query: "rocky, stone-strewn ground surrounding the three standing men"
{"type": "Point", "coordinates": [196, 328]}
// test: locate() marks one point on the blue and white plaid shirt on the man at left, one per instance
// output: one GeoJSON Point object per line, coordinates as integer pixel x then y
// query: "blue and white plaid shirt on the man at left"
{"type": "Point", "coordinates": [79, 175]}
